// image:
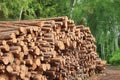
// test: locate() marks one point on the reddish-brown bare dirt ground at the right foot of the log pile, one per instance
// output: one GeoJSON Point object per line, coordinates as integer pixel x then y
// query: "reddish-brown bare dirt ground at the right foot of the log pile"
{"type": "Point", "coordinates": [111, 73]}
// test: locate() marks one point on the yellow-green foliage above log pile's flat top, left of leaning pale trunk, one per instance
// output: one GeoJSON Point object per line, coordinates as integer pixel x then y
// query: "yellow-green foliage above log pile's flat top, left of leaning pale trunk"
{"type": "Point", "coordinates": [31, 9]}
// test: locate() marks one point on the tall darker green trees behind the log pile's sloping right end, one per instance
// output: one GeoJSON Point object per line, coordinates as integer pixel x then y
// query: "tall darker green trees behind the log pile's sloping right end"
{"type": "Point", "coordinates": [102, 17]}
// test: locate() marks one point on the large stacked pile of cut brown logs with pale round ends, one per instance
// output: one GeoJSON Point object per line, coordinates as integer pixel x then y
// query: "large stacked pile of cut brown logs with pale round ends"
{"type": "Point", "coordinates": [47, 49]}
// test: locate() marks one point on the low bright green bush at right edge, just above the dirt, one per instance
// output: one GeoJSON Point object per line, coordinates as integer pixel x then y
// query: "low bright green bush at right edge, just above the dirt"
{"type": "Point", "coordinates": [115, 59]}
